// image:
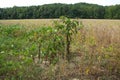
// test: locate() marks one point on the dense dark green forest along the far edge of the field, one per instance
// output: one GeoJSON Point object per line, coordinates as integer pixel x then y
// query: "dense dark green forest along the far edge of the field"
{"type": "Point", "coordinates": [78, 10]}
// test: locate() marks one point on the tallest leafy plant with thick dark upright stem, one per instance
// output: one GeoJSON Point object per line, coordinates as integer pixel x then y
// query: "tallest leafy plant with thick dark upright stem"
{"type": "Point", "coordinates": [67, 28]}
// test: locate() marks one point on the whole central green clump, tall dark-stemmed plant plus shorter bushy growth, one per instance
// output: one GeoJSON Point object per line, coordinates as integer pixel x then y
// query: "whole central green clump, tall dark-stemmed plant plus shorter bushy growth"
{"type": "Point", "coordinates": [52, 42]}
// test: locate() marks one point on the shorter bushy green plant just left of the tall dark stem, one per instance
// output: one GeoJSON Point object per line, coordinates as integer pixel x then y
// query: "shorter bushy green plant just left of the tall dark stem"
{"type": "Point", "coordinates": [46, 42]}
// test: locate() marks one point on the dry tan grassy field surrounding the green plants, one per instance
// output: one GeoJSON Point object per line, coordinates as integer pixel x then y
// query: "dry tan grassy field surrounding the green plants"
{"type": "Point", "coordinates": [95, 51]}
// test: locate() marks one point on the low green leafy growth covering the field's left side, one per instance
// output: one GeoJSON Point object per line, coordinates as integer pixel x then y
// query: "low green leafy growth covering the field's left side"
{"type": "Point", "coordinates": [12, 51]}
